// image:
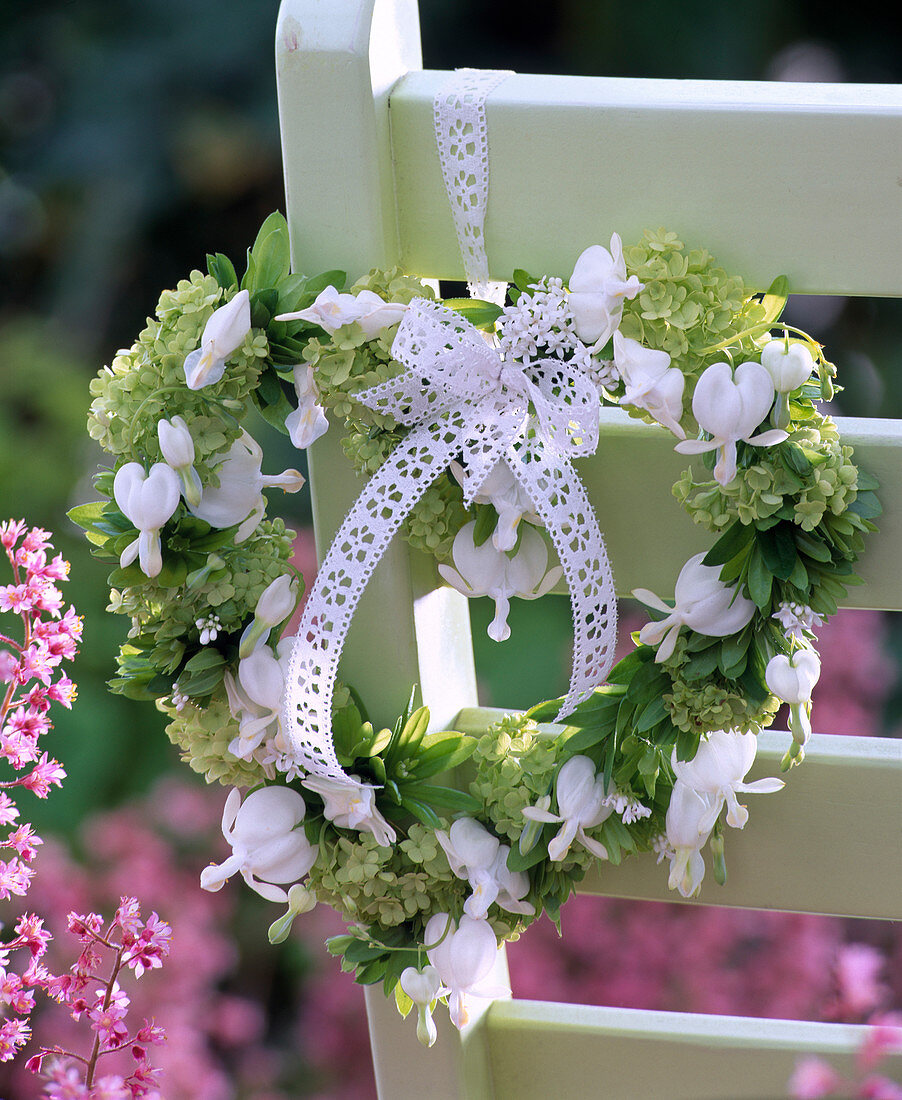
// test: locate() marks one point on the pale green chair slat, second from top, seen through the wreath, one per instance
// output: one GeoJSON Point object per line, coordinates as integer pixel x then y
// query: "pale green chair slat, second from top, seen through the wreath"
{"type": "Point", "coordinates": [650, 536]}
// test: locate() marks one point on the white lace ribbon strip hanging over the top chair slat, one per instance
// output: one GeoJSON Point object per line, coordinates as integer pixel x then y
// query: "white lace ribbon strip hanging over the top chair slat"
{"type": "Point", "coordinates": [463, 140]}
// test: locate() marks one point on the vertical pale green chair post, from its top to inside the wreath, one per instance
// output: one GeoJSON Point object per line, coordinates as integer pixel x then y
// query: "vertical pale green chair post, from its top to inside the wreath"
{"type": "Point", "coordinates": [336, 65]}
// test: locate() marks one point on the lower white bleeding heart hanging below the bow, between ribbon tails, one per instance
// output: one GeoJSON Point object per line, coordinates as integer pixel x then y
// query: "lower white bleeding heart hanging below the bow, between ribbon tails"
{"type": "Point", "coordinates": [485, 571]}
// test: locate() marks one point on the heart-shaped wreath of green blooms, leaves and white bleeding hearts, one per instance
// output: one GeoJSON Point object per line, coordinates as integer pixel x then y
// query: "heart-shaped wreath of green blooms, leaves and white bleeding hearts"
{"type": "Point", "coordinates": [432, 878]}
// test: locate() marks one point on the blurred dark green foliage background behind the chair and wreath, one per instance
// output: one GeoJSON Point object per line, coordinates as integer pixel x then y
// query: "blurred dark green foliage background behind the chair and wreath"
{"type": "Point", "coordinates": [137, 136]}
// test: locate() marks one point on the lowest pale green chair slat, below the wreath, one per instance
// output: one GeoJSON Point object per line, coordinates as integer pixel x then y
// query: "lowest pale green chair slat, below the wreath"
{"type": "Point", "coordinates": [540, 1050]}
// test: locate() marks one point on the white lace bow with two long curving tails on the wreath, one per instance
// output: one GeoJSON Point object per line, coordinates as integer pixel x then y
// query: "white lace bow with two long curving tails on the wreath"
{"type": "Point", "coordinates": [461, 401]}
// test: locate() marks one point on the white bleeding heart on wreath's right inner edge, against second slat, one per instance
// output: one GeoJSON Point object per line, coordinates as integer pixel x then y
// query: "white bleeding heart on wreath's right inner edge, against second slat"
{"type": "Point", "coordinates": [703, 603]}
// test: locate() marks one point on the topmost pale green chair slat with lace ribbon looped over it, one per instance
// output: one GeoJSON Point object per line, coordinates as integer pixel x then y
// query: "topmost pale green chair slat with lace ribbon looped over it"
{"type": "Point", "coordinates": [767, 177]}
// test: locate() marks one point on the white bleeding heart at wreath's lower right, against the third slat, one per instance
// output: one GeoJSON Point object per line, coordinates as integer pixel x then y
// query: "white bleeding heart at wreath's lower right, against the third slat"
{"type": "Point", "coordinates": [719, 772]}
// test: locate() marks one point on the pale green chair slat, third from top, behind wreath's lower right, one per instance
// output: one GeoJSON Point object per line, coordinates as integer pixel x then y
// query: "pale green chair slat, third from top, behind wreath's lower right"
{"type": "Point", "coordinates": [829, 843]}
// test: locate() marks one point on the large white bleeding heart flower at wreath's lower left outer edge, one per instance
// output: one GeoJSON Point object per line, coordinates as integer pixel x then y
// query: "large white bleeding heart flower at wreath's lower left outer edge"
{"type": "Point", "coordinates": [267, 843]}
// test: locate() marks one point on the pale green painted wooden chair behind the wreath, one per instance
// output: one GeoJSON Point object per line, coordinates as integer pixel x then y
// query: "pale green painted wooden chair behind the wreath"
{"type": "Point", "coordinates": [821, 202]}
